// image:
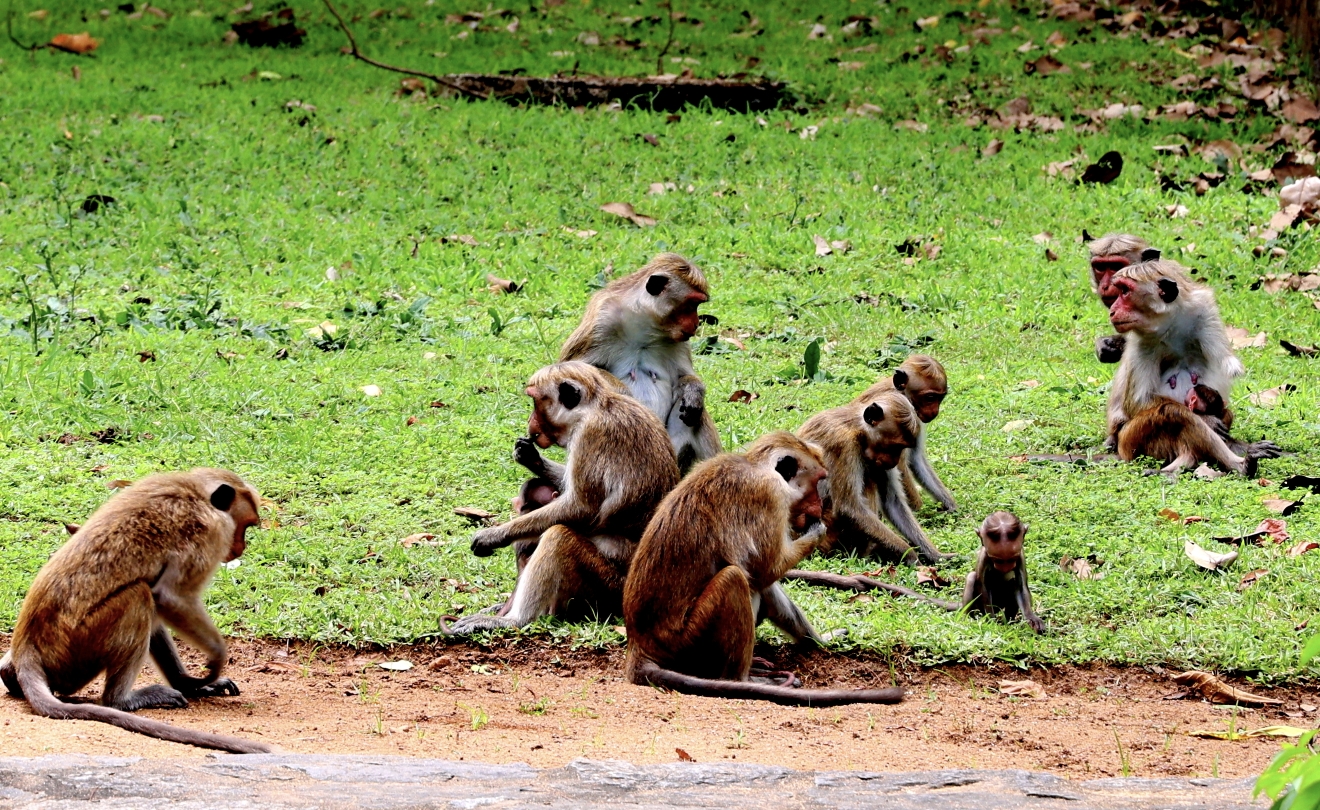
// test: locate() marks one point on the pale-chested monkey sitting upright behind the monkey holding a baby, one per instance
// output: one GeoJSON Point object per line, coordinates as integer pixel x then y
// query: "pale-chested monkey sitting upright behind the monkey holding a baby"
{"type": "Point", "coordinates": [638, 330]}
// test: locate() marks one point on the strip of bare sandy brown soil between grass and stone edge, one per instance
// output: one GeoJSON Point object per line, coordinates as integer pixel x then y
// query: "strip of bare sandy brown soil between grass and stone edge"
{"type": "Point", "coordinates": [537, 704]}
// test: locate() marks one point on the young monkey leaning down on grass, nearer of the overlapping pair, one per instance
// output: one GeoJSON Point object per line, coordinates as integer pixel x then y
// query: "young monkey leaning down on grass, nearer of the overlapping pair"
{"type": "Point", "coordinates": [864, 444]}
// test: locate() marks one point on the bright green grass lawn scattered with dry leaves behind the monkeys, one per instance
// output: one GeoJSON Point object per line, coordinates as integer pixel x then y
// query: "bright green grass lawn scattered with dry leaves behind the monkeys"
{"type": "Point", "coordinates": [233, 208]}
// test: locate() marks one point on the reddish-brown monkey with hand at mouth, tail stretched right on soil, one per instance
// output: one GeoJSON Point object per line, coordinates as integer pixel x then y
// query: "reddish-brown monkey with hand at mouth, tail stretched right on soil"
{"type": "Point", "coordinates": [725, 535]}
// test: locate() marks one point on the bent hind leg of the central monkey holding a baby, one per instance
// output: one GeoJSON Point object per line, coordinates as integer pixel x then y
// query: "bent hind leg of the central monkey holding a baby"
{"type": "Point", "coordinates": [563, 568]}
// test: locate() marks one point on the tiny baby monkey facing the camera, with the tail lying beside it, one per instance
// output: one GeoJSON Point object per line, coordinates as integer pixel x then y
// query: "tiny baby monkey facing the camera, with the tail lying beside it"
{"type": "Point", "coordinates": [997, 582]}
